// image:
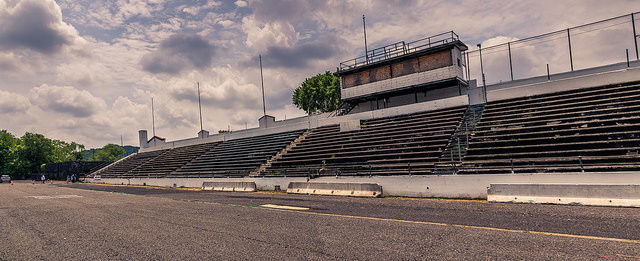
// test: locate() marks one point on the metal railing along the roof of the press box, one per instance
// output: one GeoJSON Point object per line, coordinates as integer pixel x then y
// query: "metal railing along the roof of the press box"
{"type": "Point", "coordinates": [398, 49]}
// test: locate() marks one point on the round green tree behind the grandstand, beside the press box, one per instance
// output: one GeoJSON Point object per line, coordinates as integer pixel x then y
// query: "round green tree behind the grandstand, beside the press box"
{"type": "Point", "coordinates": [320, 93]}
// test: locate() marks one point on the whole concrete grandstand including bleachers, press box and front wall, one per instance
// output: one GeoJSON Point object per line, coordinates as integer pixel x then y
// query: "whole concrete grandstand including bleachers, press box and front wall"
{"type": "Point", "coordinates": [417, 125]}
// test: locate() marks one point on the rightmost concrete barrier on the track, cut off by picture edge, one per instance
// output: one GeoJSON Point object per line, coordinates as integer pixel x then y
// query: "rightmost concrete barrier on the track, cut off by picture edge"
{"type": "Point", "coordinates": [573, 194]}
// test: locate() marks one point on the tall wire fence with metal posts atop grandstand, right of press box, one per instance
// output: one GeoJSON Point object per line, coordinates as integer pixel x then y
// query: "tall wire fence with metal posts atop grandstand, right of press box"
{"type": "Point", "coordinates": [605, 42]}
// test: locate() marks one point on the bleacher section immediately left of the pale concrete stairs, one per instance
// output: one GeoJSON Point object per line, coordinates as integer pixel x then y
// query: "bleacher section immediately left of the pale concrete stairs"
{"type": "Point", "coordinates": [237, 158]}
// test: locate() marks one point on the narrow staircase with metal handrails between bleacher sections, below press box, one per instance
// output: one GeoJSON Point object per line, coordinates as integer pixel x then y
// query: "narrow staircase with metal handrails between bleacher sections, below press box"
{"type": "Point", "coordinates": [451, 158]}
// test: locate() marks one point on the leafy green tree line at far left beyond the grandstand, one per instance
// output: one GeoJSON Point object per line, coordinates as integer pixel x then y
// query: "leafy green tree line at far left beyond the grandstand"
{"type": "Point", "coordinates": [20, 157]}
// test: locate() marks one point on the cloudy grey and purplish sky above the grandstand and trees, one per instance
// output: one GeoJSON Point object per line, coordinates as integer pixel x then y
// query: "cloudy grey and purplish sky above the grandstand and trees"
{"type": "Point", "coordinates": [85, 71]}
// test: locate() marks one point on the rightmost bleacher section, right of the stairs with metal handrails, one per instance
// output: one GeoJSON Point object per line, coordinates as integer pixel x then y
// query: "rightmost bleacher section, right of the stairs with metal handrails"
{"type": "Point", "coordinates": [593, 129]}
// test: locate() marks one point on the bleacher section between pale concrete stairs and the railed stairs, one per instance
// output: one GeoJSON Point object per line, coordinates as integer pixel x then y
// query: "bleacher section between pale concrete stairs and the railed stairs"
{"type": "Point", "coordinates": [408, 144]}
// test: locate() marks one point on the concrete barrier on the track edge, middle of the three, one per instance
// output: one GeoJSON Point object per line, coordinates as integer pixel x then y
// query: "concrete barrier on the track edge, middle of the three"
{"type": "Point", "coordinates": [338, 189]}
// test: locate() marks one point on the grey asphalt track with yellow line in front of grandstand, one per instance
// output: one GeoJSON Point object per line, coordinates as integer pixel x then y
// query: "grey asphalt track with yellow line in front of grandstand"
{"type": "Point", "coordinates": [81, 221]}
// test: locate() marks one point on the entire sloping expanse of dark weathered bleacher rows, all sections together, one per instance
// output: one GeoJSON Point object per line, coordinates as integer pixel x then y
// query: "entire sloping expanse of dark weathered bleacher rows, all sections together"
{"type": "Point", "coordinates": [593, 129]}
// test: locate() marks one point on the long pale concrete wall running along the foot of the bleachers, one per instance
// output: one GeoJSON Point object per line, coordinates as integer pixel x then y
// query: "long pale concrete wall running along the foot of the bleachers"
{"type": "Point", "coordinates": [447, 186]}
